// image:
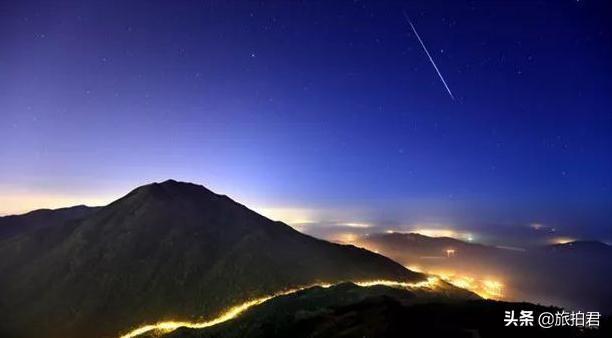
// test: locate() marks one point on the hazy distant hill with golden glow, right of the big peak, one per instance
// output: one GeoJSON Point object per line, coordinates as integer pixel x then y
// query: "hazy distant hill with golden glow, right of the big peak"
{"type": "Point", "coordinates": [533, 274]}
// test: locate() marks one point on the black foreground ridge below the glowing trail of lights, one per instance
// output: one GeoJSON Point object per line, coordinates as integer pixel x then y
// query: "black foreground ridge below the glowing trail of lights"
{"type": "Point", "coordinates": [349, 311]}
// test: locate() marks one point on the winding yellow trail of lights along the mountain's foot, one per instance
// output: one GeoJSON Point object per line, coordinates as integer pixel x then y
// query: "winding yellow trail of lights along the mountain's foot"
{"type": "Point", "coordinates": [235, 311]}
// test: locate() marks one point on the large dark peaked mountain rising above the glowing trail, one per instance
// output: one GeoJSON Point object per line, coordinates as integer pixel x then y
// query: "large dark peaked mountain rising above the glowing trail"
{"type": "Point", "coordinates": [168, 250]}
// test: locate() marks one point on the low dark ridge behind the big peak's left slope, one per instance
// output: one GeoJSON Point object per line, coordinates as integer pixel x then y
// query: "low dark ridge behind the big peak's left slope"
{"type": "Point", "coordinates": [42, 218]}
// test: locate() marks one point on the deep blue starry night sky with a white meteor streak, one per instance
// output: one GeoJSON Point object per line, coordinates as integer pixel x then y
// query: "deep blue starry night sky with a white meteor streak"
{"type": "Point", "coordinates": [319, 113]}
